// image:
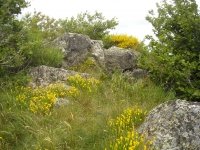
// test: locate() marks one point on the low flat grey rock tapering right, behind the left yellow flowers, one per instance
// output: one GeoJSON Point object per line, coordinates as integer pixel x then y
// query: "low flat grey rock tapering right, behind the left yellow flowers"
{"type": "Point", "coordinates": [44, 75]}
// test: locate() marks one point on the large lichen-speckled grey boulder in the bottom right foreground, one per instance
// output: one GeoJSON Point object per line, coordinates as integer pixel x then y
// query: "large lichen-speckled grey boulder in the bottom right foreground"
{"type": "Point", "coordinates": [174, 126]}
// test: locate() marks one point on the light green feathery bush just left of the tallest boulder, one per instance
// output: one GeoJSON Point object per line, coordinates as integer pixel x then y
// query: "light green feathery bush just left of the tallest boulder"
{"type": "Point", "coordinates": [41, 31]}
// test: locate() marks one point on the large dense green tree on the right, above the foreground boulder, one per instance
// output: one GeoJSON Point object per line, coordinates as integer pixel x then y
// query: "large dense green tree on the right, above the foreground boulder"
{"type": "Point", "coordinates": [173, 57]}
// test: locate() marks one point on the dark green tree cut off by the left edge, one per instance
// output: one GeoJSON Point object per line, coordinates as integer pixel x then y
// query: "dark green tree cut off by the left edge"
{"type": "Point", "coordinates": [11, 36]}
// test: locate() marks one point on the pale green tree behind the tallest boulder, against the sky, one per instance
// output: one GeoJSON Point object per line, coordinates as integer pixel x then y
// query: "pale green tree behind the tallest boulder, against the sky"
{"type": "Point", "coordinates": [95, 26]}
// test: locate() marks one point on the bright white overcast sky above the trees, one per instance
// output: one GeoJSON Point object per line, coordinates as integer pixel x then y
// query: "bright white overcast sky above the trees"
{"type": "Point", "coordinates": [130, 14]}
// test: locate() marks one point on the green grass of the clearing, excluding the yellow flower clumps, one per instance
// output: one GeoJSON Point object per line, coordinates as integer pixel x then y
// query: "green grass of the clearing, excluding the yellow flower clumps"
{"type": "Point", "coordinates": [82, 124]}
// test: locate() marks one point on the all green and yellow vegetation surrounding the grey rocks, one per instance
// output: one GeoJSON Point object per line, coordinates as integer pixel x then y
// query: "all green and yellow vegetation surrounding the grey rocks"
{"type": "Point", "coordinates": [104, 110]}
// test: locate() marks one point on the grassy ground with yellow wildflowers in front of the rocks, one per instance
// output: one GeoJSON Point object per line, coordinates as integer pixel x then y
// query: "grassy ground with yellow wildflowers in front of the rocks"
{"type": "Point", "coordinates": [84, 123]}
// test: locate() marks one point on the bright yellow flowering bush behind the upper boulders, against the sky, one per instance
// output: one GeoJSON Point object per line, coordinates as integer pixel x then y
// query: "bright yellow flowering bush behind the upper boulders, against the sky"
{"type": "Point", "coordinates": [121, 40]}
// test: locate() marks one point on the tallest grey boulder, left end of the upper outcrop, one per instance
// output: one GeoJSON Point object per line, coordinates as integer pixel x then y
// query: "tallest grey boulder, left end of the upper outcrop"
{"type": "Point", "coordinates": [75, 47]}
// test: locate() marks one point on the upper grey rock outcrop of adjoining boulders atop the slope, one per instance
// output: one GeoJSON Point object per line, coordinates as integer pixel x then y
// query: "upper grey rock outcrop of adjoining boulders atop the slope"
{"type": "Point", "coordinates": [77, 48]}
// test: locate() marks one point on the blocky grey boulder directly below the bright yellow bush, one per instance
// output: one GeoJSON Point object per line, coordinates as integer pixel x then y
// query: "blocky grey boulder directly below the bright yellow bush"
{"type": "Point", "coordinates": [120, 59]}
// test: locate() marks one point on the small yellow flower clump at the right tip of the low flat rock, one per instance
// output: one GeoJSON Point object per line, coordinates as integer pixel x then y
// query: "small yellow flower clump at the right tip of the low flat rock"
{"type": "Point", "coordinates": [84, 84]}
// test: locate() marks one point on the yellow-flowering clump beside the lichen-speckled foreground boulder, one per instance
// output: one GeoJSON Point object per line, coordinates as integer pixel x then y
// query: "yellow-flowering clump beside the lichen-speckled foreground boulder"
{"type": "Point", "coordinates": [123, 130]}
